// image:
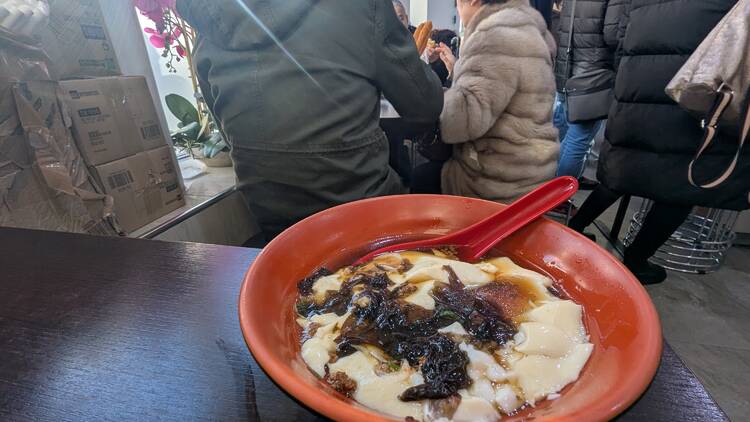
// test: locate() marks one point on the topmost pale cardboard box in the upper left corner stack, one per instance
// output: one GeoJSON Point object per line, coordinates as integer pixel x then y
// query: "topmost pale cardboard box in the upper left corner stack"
{"type": "Point", "coordinates": [77, 40]}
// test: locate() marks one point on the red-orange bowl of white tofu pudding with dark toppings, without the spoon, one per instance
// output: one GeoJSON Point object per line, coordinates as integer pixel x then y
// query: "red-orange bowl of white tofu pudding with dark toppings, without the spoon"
{"type": "Point", "coordinates": [548, 325]}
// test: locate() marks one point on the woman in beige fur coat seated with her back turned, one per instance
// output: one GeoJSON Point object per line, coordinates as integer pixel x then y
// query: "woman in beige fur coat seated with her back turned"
{"type": "Point", "coordinates": [498, 113]}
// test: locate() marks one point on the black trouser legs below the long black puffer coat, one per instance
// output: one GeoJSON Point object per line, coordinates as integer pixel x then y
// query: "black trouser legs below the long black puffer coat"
{"type": "Point", "coordinates": [662, 220]}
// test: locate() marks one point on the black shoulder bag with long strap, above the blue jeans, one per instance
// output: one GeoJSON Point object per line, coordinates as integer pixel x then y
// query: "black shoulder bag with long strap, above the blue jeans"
{"type": "Point", "coordinates": [588, 95]}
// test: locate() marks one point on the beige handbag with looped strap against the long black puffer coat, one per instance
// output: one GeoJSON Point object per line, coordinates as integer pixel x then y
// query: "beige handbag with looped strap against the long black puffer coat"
{"type": "Point", "coordinates": [714, 85]}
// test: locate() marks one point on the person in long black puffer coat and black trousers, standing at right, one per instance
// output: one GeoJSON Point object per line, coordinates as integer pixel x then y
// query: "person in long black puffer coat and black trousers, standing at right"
{"type": "Point", "coordinates": [650, 140]}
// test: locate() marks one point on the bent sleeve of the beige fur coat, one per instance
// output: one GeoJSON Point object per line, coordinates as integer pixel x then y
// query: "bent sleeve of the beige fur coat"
{"type": "Point", "coordinates": [483, 88]}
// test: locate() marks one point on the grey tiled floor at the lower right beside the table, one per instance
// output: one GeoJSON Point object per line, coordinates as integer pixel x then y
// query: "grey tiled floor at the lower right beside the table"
{"type": "Point", "coordinates": [706, 319]}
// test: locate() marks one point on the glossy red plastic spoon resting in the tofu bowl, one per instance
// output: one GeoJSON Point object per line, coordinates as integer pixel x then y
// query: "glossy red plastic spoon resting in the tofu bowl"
{"type": "Point", "coordinates": [474, 241]}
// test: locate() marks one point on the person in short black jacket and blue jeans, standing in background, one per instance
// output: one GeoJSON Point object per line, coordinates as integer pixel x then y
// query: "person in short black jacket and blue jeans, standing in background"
{"type": "Point", "coordinates": [593, 47]}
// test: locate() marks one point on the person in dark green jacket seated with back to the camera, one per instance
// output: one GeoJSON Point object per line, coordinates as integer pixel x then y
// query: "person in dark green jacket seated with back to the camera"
{"type": "Point", "coordinates": [295, 86]}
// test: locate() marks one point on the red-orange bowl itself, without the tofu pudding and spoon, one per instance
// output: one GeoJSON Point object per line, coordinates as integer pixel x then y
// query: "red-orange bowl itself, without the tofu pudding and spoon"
{"type": "Point", "coordinates": [619, 315]}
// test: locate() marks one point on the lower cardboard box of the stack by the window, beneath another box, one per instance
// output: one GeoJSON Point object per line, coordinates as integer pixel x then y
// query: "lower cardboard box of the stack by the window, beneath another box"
{"type": "Point", "coordinates": [145, 187]}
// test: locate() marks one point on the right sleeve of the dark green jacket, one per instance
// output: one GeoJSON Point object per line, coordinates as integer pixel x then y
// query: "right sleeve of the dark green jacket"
{"type": "Point", "coordinates": [406, 81]}
